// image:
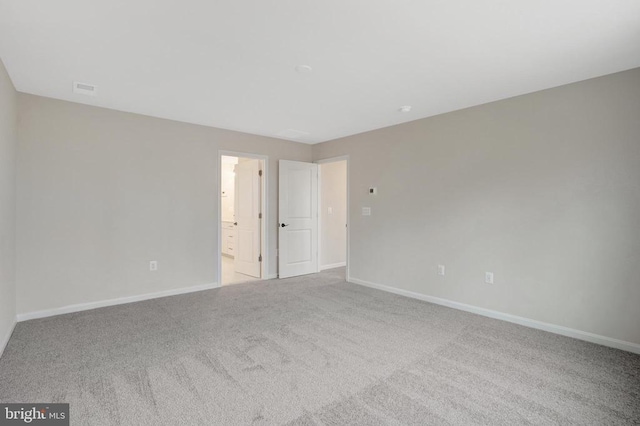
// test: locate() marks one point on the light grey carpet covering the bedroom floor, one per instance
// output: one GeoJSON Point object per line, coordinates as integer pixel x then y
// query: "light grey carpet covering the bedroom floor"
{"type": "Point", "coordinates": [312, 350]}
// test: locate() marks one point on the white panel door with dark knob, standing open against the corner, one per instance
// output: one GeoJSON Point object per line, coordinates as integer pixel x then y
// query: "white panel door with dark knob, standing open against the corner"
{"type": "Point", "coordinates": [298, 218]}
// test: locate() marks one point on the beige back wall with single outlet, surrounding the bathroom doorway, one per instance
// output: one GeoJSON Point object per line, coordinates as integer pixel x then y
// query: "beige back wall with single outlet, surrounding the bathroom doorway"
{"type": "Point", "coordinates": [101, 193]}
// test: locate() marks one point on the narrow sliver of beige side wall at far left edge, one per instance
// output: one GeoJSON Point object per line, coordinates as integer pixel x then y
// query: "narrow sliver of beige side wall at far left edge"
{"type": "Point", "coordinates": [8, 143]}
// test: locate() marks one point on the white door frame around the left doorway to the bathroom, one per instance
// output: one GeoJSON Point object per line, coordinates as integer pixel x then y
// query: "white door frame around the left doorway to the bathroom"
{"type": "Point", "coordinates": [264, 206]}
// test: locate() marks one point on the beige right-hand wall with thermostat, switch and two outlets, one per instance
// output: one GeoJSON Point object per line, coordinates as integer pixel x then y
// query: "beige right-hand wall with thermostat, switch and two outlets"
{"type": "Point", "coordinates": [542, 189]}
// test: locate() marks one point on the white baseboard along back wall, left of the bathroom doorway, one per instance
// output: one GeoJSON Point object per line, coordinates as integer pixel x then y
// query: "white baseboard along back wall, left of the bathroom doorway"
{"type": "Point", "coordinates": [111, 302]}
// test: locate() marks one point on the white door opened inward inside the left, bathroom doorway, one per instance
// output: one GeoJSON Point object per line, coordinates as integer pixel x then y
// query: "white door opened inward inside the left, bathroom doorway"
{"type": "Point", "coordinates": [247, 218]}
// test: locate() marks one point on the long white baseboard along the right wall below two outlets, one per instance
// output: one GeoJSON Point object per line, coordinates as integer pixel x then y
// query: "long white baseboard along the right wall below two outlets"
{"type": "Point", "coordinates": [552, 328]}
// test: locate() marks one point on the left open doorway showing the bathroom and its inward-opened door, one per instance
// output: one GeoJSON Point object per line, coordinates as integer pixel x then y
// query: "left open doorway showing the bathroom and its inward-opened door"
{"type": "Point", "coordinates": [242, 218]}
